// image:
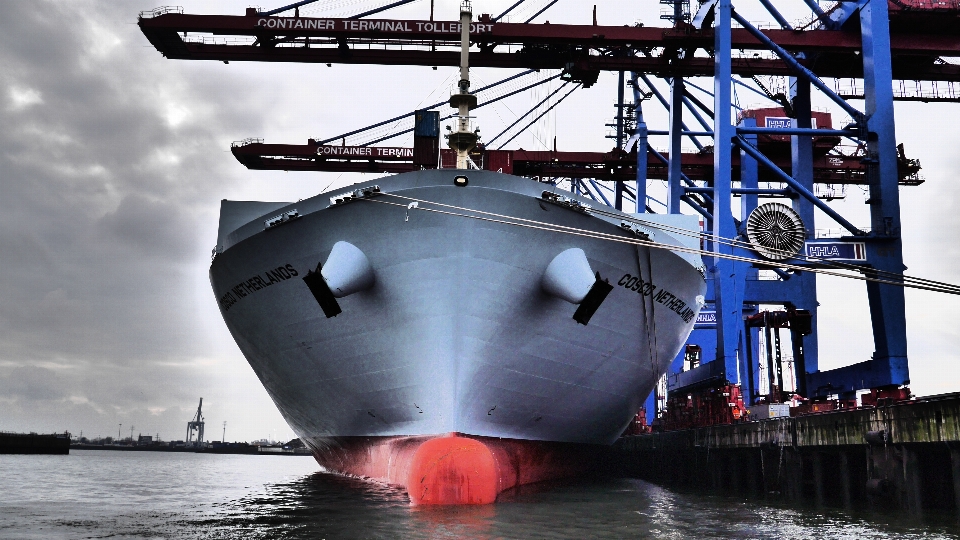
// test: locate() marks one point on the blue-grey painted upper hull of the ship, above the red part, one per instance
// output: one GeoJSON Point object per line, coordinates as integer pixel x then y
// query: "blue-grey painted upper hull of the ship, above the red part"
{"type": "Point", "coordinates": [456, 334]}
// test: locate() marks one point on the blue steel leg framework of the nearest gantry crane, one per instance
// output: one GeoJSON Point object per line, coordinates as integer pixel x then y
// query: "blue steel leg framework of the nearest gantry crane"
{"type": "Point", "coordinates": [734, 289]}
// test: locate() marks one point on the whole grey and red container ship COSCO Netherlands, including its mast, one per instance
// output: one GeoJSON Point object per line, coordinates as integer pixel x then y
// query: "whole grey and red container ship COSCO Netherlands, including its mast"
{"type": "Point", "coordinates": [457, 332]}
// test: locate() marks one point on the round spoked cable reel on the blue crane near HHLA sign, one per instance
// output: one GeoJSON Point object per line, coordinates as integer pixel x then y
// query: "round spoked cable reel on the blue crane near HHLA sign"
{"type": "Point", "coordinates": [775, 231]}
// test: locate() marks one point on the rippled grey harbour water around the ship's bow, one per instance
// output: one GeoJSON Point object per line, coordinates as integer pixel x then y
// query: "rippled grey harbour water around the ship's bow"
{"type": "Point", "coordinates": [100, 494]}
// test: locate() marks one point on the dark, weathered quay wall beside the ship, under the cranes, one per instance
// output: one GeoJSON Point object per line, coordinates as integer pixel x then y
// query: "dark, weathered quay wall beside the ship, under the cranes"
{"type": "Point", "coordinates": [903, 456]}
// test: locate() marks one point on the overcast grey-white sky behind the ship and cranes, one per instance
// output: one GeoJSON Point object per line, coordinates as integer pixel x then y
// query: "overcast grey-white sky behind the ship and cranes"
{"type": "Point", "coordinates": [113, 162]}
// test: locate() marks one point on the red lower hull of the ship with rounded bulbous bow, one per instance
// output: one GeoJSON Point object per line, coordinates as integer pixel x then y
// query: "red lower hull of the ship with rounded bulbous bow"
{"type": "Point", "coordinates": [456, 468]}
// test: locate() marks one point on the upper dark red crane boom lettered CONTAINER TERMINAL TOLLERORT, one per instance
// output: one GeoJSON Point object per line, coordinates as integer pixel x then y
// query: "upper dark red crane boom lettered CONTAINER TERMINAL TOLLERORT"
{"type": "Point", "coordinates": [918, 40]}
